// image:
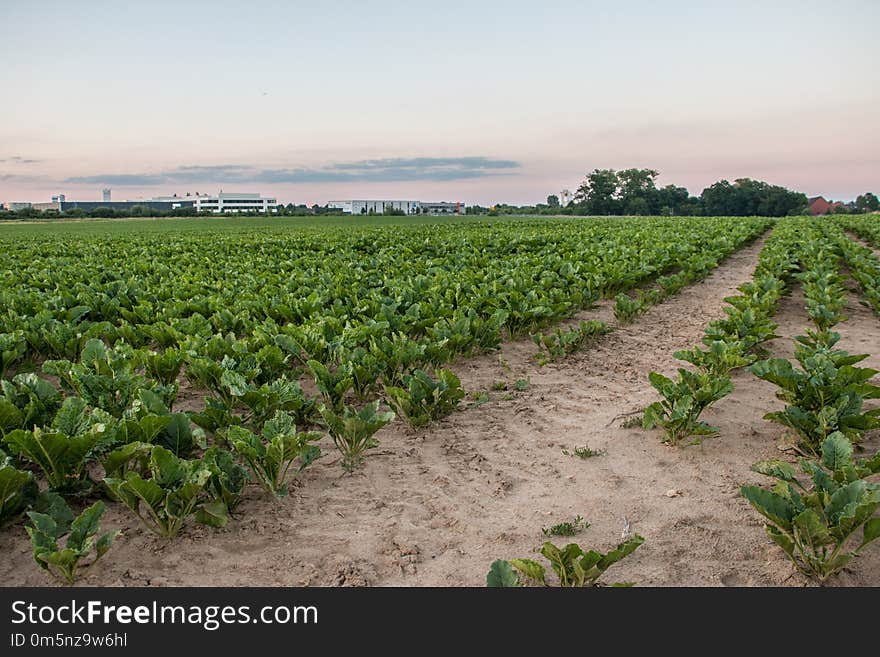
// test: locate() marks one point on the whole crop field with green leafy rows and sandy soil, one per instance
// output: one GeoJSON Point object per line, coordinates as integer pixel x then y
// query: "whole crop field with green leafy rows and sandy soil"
{"type": "Point", "coordinates": [397, 401]}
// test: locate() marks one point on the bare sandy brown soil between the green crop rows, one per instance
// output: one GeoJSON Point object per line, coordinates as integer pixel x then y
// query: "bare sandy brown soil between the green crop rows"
{"type": "Point", "coordinates": [435, 507]}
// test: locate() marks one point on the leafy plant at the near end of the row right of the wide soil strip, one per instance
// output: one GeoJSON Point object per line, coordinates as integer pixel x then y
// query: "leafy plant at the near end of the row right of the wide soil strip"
{"type": "Point", "coordinates": [683, 402]}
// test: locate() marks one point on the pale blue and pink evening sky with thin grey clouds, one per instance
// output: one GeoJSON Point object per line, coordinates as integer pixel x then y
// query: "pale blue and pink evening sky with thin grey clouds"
{"type": "Point", "coordinates": [475, 101]}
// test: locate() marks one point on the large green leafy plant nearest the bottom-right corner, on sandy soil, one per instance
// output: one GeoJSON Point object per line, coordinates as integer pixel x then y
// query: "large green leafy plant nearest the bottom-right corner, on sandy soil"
{"type": "Point", "coordinates": [814, 524]}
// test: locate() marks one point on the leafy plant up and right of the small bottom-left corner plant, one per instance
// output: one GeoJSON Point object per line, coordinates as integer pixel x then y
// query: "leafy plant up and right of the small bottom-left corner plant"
{"type": "Point", "coordinates": [175, 489]}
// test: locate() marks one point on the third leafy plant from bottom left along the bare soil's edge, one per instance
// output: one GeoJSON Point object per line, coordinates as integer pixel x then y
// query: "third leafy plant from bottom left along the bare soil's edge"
{"type": "Point", "coordinates": [271, 456]}
